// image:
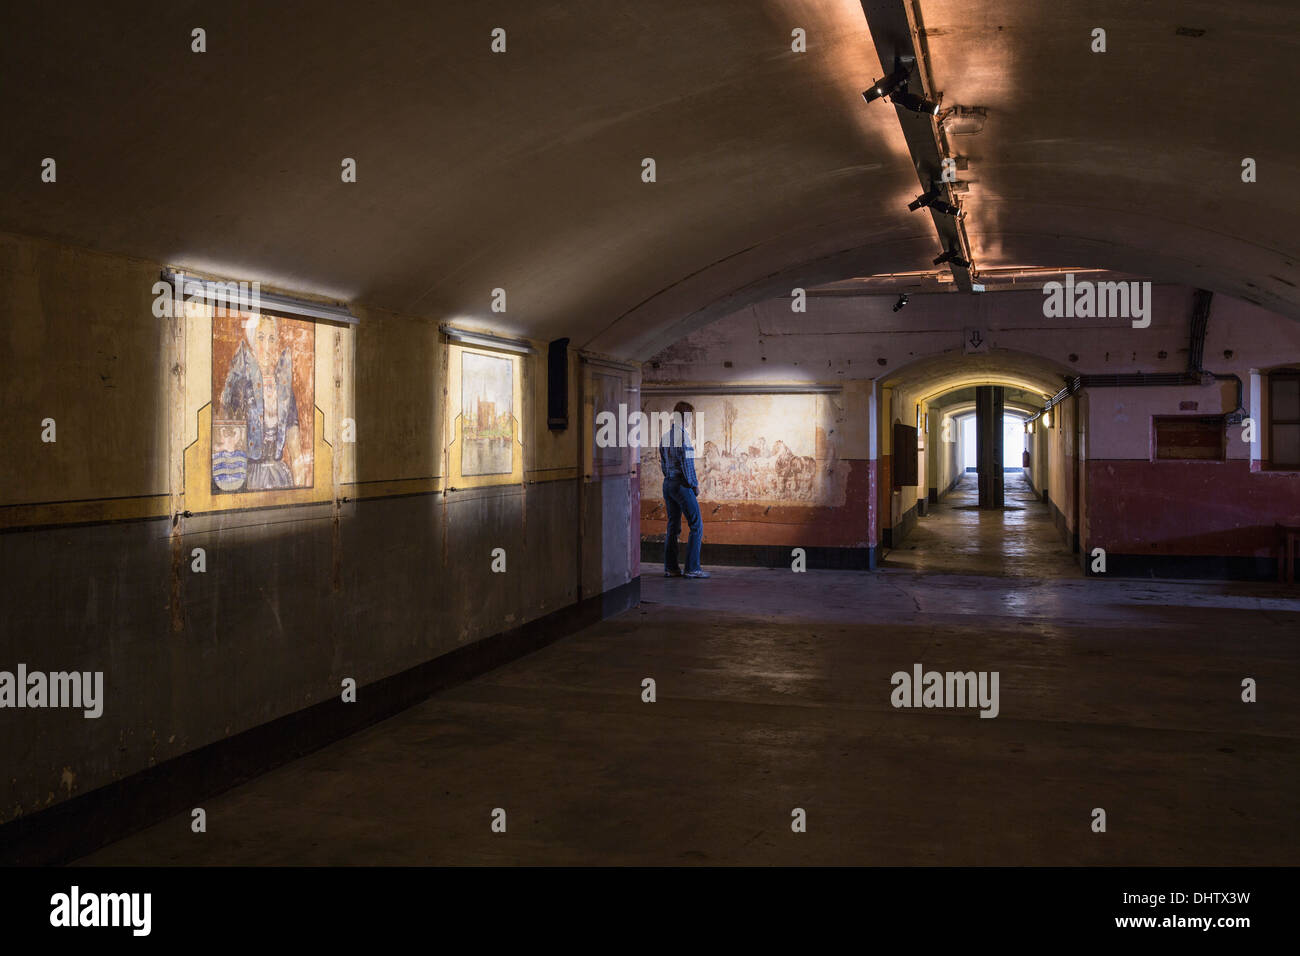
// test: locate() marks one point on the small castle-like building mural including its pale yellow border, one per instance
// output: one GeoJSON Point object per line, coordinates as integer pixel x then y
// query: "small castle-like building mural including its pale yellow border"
{"type": "Point", "coordinates": [486, 404]}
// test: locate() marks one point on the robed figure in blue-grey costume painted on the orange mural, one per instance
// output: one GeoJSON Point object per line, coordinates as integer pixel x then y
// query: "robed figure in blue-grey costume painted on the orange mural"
{"type": "Point", "coordinates": [259, 417]}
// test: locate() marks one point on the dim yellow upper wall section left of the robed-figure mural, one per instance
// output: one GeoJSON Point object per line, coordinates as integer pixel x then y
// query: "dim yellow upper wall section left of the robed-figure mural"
{"type": "Point", "coordinates": [79, 344]}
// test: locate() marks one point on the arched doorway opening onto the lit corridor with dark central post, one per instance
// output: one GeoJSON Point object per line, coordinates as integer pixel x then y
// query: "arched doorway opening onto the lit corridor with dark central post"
{"type": "Point", "coordinates": [986, 461]}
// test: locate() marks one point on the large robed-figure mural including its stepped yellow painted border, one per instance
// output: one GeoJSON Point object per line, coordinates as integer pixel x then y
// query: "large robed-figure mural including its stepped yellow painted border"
{"type": "Point", "coordinates": [254, 417]}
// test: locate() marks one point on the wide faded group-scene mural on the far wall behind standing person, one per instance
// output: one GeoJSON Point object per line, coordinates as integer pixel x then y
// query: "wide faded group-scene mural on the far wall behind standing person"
{"type": "Point", "coordinates": [762, 449]}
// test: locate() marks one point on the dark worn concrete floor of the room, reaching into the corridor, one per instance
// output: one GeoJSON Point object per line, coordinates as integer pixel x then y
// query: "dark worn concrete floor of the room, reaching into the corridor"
{"type": "Point", "coordinates": [774, 694]}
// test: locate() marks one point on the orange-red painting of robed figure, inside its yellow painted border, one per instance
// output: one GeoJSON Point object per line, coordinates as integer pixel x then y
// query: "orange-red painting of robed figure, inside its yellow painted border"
{"type": "Point", "coordinates": [263, 404]}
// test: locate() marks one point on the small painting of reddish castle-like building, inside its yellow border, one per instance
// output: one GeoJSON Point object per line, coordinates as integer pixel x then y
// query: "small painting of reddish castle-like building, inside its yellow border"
{"type": "Point", "coordinates": [487, 414]}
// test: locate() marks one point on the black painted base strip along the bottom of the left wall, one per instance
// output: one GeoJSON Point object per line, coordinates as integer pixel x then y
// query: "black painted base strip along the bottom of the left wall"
{"type": "Point", "coordinates": [94, 820]}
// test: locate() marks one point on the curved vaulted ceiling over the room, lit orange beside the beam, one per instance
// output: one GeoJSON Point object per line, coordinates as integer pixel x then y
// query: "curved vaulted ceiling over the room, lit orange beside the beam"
{"type": "Point", "coordinates": [523, 171]}
